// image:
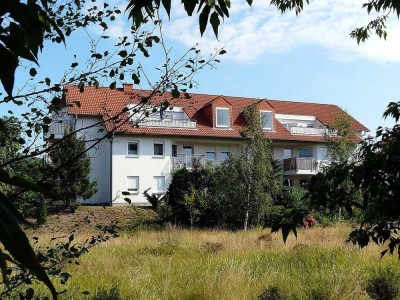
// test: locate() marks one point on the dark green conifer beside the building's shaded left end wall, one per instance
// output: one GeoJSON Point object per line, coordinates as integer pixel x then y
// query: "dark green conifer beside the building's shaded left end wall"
{"type": "Point", "coordinates": [70, 171]}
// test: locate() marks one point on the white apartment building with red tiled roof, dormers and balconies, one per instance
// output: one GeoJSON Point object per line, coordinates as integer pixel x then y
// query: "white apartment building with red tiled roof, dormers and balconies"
{"type": "Point", "coordinates": [132, 151]}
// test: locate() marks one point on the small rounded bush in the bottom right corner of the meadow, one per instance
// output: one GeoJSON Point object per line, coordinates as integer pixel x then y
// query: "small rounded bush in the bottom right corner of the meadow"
{"type": "Point", "coordinates": [383, 285]}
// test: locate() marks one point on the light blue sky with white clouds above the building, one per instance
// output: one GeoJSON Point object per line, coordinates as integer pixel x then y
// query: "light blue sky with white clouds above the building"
{"type": "Point", "coordinates": [309, 58]}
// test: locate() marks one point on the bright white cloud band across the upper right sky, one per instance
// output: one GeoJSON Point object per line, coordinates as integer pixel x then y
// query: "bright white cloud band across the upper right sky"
{"type": "Point", "coordinates": [253, 32]}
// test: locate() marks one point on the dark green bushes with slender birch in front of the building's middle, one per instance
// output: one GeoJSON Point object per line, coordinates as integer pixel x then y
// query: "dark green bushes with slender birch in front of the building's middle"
{"type": "Point", "coordinates": [238, 193]}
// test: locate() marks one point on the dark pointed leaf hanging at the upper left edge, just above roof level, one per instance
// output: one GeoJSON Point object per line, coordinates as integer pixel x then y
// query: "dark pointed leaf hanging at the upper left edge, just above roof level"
{"type": "Point", "coordinates": [8, 65]}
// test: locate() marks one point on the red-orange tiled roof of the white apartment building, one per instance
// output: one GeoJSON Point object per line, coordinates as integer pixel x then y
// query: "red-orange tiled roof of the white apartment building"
{"type": "Point", "coordinates": [110, 103]}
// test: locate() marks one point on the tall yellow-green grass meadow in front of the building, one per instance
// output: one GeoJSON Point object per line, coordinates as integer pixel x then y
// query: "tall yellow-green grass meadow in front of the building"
{"type": "Point", "coordinates": [175, 263]}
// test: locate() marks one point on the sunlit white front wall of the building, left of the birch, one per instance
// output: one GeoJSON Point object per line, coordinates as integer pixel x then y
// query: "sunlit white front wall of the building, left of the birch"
{"type": "Point", "coordinates": [145, 165]}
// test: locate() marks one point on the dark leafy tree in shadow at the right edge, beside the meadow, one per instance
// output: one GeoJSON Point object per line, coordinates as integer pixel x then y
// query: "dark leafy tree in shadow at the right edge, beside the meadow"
{"type": "Point", "coordinates": [375, 179]}
